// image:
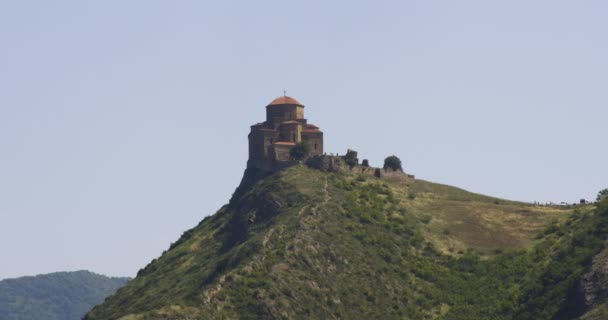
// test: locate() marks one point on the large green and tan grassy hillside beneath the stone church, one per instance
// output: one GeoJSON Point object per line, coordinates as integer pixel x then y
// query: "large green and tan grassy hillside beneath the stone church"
{"type": "Point", "coordinates": [310, 244]}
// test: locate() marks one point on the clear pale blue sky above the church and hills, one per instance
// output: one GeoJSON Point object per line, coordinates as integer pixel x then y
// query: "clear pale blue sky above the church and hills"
{"type": "Point", "coordinates": [124, 123]}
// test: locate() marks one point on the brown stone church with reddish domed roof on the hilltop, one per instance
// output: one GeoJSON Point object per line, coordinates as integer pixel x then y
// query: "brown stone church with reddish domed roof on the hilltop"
{"type": "Point", "coordinates": [285, 126]}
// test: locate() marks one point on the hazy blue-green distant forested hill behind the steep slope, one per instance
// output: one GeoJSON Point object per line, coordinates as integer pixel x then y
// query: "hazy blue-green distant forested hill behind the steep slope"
{"type": "Point", "coordinates": [61, 295]}
